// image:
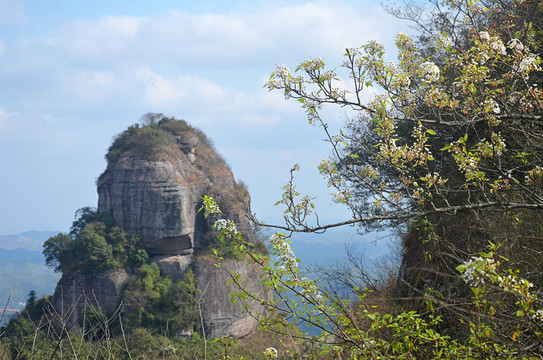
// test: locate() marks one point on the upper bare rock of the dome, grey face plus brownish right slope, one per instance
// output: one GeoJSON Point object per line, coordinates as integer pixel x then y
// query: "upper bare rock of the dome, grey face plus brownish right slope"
{"type": "Point", "coordinates": [158, 199]}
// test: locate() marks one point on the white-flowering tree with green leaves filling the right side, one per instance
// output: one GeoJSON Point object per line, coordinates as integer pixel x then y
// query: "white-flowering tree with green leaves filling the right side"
{"type": "Point", "coordinates": [446, 137]}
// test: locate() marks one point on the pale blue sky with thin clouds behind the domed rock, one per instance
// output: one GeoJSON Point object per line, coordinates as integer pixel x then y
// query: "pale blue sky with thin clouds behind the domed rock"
{"type": "Point", "coordinates": [74, 74]}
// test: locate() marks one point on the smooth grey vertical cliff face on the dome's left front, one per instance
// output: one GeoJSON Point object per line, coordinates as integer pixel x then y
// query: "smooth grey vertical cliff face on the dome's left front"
{"type": "Point", "coordinates": [153, 199]}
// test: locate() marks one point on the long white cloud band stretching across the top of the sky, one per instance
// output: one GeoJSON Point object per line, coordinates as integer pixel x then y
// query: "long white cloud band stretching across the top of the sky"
{"type": "Point", "coordinates": [235, 39]}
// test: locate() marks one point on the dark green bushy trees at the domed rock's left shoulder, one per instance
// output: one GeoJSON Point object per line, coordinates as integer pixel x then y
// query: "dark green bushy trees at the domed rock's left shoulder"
{"type": "Point", "coordinates": [95, 244]}
